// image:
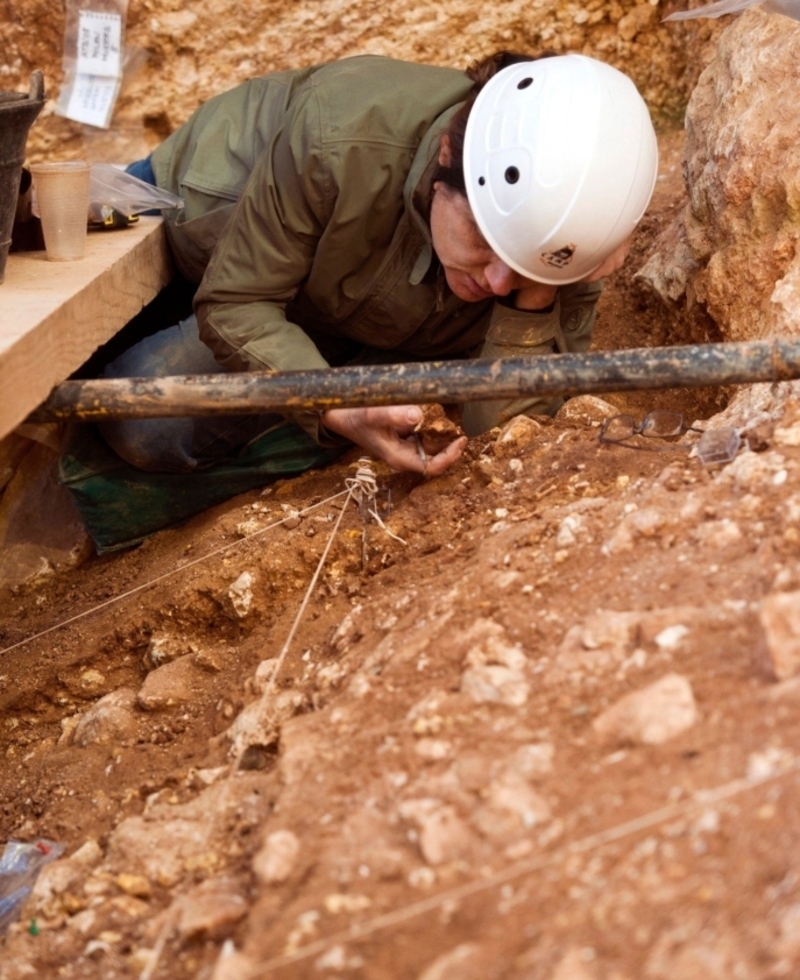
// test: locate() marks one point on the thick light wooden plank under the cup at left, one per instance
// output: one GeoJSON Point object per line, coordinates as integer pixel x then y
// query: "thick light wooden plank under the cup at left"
{"type": "Point", "coordinates": [54, 315]}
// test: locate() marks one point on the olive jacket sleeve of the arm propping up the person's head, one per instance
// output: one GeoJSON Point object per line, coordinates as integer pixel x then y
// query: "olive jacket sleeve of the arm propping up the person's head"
{"type": "Point", "coordinates": [567, 327]}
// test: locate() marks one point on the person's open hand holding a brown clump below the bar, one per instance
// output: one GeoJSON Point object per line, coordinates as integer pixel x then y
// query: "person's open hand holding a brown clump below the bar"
{"type": "Point", "coordinates": [387, 432]}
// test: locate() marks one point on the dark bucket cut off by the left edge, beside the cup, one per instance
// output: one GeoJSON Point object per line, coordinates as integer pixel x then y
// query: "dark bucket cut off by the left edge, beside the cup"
{"type": "Point", "coordinates": [17, 113]}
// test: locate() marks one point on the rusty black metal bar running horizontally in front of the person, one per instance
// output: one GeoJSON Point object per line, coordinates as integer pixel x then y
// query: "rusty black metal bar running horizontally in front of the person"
{"type": "Point", "coordinates": [418, 383]}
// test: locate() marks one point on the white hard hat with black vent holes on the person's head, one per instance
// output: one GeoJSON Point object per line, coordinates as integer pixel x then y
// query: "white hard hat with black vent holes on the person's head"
{"type": "Point", "coordinates": [560, 161]}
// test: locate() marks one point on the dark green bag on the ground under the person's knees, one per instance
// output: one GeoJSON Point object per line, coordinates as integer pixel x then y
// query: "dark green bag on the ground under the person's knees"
{"type": "Point", "coordinates": [120, 505]}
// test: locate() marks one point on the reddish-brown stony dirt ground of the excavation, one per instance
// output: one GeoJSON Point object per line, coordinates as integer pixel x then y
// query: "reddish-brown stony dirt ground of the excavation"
{"type": "Point", "coordinates": [436, 771]}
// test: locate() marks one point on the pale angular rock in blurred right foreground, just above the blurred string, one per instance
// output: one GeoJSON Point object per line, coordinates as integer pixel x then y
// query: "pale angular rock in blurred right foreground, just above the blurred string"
{"type": "Point", "coordinates": [651, 716]}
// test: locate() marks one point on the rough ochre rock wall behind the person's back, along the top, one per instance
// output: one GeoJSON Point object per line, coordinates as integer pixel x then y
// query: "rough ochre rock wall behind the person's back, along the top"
{"type": "Point", "coordinates": [191, 50]}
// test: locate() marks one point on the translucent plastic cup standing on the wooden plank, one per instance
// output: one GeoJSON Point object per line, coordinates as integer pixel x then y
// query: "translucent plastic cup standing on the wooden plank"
{"type": "Point", "coordinates": [62, 195]}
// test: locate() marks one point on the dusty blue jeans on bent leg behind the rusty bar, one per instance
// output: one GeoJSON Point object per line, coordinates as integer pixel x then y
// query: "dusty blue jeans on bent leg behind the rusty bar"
{"type": "Point", "coordinates": [177, 445]}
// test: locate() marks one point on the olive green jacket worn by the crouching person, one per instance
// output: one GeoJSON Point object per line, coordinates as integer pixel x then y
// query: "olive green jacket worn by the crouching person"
{"type": "Point", "coordinates": [307, 195]}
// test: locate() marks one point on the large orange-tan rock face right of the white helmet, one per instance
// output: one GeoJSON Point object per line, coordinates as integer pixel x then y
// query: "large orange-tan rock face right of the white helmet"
{"type": "Point", "coordinates": [734, 248]}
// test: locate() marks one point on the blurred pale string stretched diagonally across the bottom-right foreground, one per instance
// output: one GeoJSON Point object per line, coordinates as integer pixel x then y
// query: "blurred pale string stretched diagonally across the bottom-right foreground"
{"type": "Point", "coordinates": [702, 798]}
